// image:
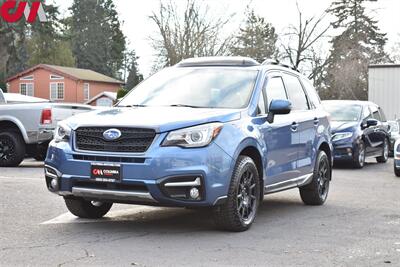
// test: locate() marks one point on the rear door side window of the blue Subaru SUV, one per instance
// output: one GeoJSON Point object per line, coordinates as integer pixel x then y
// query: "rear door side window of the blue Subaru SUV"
{"type": "Point", "coordinates": [296, 93]}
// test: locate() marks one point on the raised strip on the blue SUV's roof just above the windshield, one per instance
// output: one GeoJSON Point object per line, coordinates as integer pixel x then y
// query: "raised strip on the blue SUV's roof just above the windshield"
{"type": "Point", "coordinates": [218, 61]}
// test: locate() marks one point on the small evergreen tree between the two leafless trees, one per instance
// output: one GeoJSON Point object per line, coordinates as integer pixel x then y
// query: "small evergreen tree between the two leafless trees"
{"type": "Point", "coordinates": [257, 39]}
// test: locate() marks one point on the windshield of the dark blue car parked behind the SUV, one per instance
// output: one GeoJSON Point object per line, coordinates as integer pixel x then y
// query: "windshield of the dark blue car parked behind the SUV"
{"type": "Point", "coordinates": [340, 112]}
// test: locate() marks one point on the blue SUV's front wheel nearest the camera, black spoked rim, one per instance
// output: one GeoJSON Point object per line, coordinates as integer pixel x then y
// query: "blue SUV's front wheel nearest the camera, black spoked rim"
{"type": "Point", "coordinates": [239, 211]}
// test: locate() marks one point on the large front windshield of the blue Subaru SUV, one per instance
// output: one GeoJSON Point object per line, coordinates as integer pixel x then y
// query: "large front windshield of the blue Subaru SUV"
{"type": "Point", "coordinates": [195, 87]}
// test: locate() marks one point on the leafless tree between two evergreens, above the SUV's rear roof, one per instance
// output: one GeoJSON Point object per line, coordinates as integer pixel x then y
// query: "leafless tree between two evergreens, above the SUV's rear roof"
{"type": "Point", "coordinates": [299, 48]}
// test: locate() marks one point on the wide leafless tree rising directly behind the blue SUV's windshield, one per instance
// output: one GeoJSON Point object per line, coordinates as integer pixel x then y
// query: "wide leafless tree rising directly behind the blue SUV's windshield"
{"type": "Point", "coordinates": [188, 34]}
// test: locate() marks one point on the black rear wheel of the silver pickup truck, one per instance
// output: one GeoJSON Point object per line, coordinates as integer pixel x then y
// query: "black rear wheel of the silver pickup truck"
{"type": "Point", "coordinates": [12, 149]}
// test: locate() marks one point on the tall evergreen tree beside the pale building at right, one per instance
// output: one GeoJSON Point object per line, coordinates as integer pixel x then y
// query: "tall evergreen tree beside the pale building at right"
{"type": "Point", "coordinates": [359, 45]}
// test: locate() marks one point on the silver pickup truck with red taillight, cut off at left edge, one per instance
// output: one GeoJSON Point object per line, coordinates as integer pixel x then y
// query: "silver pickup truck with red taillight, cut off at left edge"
{"type": "Point", "coordinates": [27, 125]}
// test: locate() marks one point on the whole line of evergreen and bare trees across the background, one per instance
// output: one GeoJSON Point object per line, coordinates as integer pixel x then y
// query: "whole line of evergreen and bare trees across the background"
{"type": "Point", "coordinates": [91, 37]}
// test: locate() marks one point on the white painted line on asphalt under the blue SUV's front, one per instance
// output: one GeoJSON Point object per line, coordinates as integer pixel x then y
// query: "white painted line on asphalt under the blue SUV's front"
{"type": "Point", "coordinates": [118, 215]}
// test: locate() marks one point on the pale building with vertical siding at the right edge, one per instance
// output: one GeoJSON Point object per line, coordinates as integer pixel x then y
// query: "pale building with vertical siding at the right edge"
{"type": "Point", "coordinates": [384, 88]}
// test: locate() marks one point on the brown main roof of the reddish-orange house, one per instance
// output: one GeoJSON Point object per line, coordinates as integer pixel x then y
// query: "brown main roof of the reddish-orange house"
{"type": "Point", "coordinates": [73, 73]}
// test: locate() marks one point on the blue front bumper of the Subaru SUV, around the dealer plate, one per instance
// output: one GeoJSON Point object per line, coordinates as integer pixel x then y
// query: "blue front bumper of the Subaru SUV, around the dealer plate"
{"type": "Point", "coordinates": [144, 176]}
